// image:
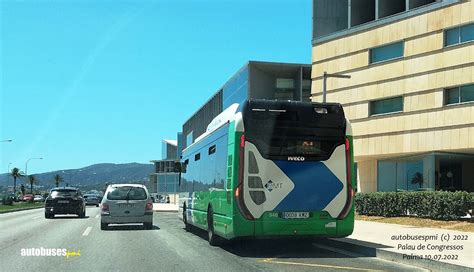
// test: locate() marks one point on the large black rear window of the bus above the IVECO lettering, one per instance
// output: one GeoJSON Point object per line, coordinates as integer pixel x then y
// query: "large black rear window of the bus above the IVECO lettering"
{"type": "Point", "coordinates": [279, 130]}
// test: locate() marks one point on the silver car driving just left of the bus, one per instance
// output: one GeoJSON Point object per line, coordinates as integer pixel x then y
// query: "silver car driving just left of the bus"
{"type": "Point", "coordinates": [126, 203]}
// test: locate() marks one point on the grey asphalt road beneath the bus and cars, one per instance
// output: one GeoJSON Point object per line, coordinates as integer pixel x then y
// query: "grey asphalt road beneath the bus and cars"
{"type": "Point", "coordinates": [167, 247]}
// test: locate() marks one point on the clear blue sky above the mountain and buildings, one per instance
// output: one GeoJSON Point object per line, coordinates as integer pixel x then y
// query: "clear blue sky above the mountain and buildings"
{"type": "Point", "coordinates": [87, 82]}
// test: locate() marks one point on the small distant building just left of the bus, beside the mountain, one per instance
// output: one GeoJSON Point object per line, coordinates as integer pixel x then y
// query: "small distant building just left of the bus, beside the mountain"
{"type": "Point", "coordinates": [165, 180]}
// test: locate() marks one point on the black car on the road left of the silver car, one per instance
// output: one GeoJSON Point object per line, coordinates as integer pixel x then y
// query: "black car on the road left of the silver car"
{"type": "Point", "coordinates": [65, 200]}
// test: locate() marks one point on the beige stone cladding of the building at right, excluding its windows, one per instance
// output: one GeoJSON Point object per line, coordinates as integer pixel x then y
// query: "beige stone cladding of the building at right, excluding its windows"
{"type": "Point", "coordinates": [421, 76]}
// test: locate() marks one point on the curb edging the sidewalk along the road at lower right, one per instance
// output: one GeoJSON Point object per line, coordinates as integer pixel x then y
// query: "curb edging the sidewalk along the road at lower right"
{"type": "Point", "coordinates": [394, 256]}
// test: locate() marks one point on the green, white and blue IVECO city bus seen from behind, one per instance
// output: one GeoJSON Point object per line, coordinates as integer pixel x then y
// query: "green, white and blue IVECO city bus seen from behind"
{"type": "Point", "coordinates": [268, 168]}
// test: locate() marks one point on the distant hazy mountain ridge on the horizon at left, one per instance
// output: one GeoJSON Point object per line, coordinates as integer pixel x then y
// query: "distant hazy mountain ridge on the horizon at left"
{"type": "Point", "coordinates": [96, 175]}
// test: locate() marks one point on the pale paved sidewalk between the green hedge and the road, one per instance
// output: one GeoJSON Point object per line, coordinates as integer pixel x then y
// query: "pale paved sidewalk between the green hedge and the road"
{"type": "Point", "coordinates": [448, 250]}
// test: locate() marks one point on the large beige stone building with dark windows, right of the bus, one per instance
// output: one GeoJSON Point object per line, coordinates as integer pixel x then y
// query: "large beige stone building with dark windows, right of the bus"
{"type": "Point", "coordinates": [411, 92]}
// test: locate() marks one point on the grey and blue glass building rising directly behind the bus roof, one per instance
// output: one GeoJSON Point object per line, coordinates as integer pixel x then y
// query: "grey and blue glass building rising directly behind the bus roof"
{"type": "Point", "coordinates": [255, 80]}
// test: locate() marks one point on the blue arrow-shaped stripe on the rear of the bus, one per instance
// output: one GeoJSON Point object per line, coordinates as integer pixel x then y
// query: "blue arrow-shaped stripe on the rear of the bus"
{"type": "Point", "coordinates": [315, 186]}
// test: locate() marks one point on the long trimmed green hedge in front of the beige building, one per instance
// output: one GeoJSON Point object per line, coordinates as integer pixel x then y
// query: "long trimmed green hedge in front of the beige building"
{"type": "Point", "coordinates": [434, 205]}
